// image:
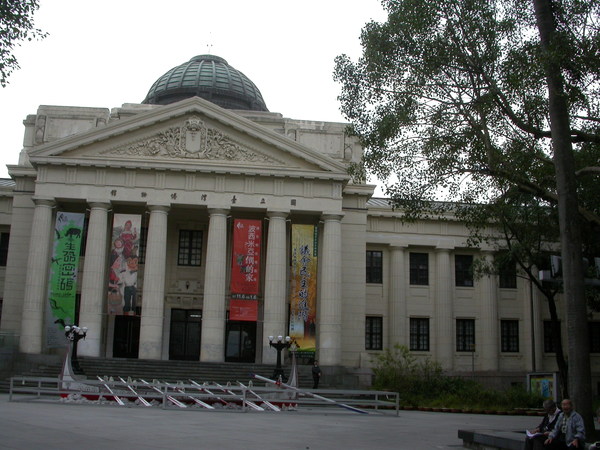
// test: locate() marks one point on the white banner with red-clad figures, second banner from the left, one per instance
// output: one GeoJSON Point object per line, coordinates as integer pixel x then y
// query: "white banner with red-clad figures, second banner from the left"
{"type": "Point", "coordinates": [123, 264]}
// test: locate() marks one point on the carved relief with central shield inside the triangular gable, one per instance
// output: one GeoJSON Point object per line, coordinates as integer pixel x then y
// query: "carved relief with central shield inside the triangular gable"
{"type": "Point", "coordinates": [193, 140]}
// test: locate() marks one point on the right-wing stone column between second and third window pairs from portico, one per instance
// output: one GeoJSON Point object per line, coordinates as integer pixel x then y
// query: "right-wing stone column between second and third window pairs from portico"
{"type": "Point", "coordinates": [444, 311]}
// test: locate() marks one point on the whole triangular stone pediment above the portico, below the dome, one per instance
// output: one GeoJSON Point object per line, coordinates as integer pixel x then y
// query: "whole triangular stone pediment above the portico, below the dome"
{"type": "Point", "coordinates": [194, 134]}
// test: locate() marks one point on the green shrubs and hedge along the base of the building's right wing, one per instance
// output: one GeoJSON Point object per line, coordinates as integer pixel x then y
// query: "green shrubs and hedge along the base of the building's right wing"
{"type": "Point", "coordinates": [421, 382]}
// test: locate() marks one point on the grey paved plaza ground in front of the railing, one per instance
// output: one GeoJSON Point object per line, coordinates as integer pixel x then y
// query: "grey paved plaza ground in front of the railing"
{"type": "Point", "coordinates": [54, 425]}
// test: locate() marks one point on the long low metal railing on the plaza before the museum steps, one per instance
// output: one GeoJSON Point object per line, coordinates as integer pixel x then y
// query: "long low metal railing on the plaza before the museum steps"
{"type": "Point", "coordinates": [200, 395]}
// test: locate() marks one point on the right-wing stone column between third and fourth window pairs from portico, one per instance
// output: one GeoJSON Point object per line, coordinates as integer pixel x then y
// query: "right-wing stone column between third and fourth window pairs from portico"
{"type": "Point", "coordinates": [487, 350]}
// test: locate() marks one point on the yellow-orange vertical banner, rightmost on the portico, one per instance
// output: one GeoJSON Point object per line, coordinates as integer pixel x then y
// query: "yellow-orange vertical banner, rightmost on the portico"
{"type": "Point", "coordinates": [303, 289]}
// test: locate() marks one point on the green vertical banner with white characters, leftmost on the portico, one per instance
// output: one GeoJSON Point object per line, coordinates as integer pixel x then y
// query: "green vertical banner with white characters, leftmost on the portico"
{"type": "Point", "coordinates": [62, 279]}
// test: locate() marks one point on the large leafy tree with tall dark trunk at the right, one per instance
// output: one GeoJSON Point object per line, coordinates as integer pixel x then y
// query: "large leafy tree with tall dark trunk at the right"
{"type": "Point", "coordinates": [463, 98]}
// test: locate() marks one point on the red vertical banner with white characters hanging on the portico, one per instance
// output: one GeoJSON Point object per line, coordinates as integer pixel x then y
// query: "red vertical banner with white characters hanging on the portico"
{"type": "Point", "coordinates": [245, 270]}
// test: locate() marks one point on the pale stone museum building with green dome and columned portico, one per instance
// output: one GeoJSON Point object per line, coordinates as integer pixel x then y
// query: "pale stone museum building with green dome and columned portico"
{"type": "Point", "coordinates": [196, 224]}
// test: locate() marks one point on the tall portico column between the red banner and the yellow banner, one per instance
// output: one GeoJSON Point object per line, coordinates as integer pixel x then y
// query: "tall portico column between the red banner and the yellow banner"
{"type": "Point", "coordinates": [275, 311]}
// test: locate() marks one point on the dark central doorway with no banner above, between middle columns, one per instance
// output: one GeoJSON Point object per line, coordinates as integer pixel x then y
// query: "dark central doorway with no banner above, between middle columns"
{"type": "Point", "coordinates": [184, 341]}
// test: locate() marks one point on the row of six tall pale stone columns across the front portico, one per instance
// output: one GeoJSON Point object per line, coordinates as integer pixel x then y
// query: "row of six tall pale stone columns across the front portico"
{"type": "Point", "coordinates": [93, 283]}
